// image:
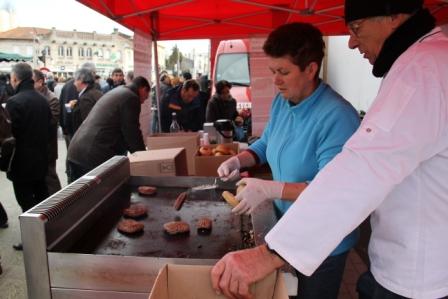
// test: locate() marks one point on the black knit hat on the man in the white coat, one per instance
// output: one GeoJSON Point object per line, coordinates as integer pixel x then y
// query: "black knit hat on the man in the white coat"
{"type": "Point", "coordinates": [360, 9]}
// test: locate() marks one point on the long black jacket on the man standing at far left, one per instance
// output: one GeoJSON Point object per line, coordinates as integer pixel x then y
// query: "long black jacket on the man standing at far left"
{"type": "Point", "coordinates": [31, 127]}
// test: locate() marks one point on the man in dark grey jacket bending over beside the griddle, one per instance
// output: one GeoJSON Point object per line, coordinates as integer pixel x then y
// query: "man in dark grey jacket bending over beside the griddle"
{"type": "Point", "coordinates": [111, 128]}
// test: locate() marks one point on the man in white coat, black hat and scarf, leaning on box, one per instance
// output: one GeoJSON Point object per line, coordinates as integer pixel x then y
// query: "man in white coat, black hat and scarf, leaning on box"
{"type": "Point", "coordinates": [393, 168]}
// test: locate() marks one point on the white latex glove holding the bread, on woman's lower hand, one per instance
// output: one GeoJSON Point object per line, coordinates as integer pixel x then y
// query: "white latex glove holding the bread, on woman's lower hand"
{"type": "Point", "coordinates": [256, 192]}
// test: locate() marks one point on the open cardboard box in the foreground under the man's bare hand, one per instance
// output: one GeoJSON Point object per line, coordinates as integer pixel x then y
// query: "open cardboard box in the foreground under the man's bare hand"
{"type": "Point", "coordinates": [194, 282]}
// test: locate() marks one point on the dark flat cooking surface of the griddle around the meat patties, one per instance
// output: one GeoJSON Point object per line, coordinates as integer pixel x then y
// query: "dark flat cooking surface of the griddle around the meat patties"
{"type": "Point", "coordinates": [227, 232]}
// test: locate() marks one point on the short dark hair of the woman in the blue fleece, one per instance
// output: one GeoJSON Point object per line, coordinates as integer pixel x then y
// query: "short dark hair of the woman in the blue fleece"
{"type": "Point", "coordinates": [302, 41]}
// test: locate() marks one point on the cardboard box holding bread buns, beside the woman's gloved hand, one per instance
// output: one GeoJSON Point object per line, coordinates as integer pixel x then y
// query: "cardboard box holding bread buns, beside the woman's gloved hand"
{"type": "Point", "coordinates": [208, 165]}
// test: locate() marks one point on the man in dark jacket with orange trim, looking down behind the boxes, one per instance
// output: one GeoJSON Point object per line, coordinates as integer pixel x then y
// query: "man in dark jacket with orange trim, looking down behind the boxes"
{"type": "Point", "coordinates": [185, 102]}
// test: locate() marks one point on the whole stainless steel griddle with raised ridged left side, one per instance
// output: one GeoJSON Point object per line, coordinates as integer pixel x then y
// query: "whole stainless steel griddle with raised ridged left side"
{"type": "Point", "coordinates": [73, 250]}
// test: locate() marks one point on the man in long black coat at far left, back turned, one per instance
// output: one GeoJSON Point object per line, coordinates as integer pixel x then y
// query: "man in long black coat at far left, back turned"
{"type": "Point", "coordinates": [30, 123]}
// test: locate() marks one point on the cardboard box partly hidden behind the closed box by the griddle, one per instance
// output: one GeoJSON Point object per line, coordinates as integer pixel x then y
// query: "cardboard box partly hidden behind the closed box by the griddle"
{"type": "Point", "coordinates": [189, 141]}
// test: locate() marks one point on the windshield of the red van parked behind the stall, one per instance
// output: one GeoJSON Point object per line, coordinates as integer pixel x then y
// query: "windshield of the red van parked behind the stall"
{"type": "Point", "coordinates": [233, 68]}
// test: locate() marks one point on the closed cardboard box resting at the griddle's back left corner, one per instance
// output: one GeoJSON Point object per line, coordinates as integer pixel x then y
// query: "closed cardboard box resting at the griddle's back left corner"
{"type": "Point", "coordinates": [162, 162]}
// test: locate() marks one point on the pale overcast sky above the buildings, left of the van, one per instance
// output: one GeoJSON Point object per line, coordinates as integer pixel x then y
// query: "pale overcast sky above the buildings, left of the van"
{"type": "Point", "coordinates": [70, 14]}
